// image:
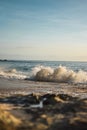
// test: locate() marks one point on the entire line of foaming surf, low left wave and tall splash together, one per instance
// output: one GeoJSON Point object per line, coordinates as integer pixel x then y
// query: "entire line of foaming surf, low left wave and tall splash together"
{"type": "Point", "coordinates": [61, 74]}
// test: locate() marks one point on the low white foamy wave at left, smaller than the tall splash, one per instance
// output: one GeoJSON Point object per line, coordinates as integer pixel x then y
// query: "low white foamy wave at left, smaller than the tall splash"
{"type": "Point", "coordinates": [12, 74]}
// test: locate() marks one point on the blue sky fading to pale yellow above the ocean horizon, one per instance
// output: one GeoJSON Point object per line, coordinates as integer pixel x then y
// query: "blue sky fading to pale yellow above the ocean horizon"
{"type": "Point", "coordinates": [43, 30]}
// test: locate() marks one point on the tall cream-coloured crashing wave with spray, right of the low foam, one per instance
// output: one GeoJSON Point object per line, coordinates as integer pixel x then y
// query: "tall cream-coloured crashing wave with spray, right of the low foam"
{"type": "Point", "coordinates": [60, 74]}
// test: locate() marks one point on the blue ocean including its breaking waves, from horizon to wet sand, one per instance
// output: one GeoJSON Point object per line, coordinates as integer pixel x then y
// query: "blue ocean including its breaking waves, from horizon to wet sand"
{"type": "Point", "coordinates": [46, 71]}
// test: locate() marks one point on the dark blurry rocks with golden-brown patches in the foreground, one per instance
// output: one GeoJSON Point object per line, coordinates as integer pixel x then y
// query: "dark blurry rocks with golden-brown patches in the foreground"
{"type": "Point", "coordinates": [58, 112]}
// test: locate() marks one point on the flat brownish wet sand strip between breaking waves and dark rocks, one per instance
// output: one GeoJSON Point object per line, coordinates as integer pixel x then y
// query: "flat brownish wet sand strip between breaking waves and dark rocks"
{"type": "Point", "coordinates": [10, 87]}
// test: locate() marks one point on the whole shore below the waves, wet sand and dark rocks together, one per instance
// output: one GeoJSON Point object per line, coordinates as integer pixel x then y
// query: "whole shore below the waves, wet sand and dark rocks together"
{"type": "Point", "coordinates": [30, 105]}
